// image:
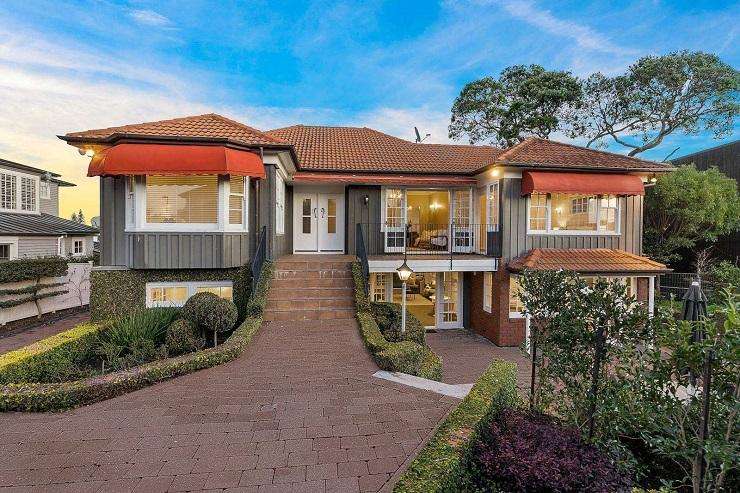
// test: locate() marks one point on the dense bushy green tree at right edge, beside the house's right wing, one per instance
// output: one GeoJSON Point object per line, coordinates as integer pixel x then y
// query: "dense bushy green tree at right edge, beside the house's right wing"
{"type": "Point", "coordinates": [687, 206]}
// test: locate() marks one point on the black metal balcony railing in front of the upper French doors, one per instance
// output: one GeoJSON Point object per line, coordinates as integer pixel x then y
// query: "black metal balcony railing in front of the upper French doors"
{"type": "Point", "coordinates": [431, 239]}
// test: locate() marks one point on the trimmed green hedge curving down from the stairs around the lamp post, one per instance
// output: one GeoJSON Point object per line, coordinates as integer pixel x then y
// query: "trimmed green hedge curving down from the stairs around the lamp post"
{"type": "Point", "coordinates": [406, 356]}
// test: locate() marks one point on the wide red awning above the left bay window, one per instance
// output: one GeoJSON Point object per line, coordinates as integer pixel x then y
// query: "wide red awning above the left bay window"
{"type": "Point", "coordinates": [172, 159]}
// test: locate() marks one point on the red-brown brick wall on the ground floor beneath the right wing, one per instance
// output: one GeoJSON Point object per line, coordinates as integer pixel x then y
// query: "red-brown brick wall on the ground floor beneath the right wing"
{"type": "Point", "coordinates": [495, 326]}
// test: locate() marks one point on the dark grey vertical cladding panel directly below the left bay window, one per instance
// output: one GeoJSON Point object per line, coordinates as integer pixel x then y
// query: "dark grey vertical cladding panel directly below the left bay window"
{"type": "Point", "coordinates": [187, 250]}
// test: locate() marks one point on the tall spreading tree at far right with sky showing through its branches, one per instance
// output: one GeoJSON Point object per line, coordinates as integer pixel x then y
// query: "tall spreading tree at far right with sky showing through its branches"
{"type": "Point", "coordinates": [687, 92]}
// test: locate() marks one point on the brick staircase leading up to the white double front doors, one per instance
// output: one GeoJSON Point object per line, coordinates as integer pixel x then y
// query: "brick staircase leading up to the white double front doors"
{"type": "Point", "coordinates": [311, 287]}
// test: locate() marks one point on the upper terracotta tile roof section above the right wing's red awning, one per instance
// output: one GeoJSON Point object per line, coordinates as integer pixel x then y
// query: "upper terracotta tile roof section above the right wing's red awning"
{"type": "Point", "coordinates": [537, 152]}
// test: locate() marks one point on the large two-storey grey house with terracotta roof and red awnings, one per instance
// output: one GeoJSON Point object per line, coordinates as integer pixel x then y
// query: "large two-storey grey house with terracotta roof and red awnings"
{"type": "Point", "coordinates": [194, 194]}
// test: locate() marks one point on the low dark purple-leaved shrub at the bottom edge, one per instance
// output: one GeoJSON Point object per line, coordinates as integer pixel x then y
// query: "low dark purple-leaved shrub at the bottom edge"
{"type": "Point", "coordinates": [521, 451]}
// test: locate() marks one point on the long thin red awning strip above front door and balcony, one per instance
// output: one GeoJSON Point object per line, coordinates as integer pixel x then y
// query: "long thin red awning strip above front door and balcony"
{"type": "Point", "coordinates": [383, 179]}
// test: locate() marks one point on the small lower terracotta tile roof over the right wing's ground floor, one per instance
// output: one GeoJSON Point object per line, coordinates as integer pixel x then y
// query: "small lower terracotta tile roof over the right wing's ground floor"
{"type": "Point", "coordinates": [596, 260]}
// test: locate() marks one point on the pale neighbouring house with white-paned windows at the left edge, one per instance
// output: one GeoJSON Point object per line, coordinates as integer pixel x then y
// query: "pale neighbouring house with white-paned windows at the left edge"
{"type": "Point", "coordinates": [30, 225]}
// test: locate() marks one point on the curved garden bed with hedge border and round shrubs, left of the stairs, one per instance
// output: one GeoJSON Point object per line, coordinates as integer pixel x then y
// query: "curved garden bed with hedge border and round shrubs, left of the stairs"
{"type": "Point", "coordinates": [95, 361]}
